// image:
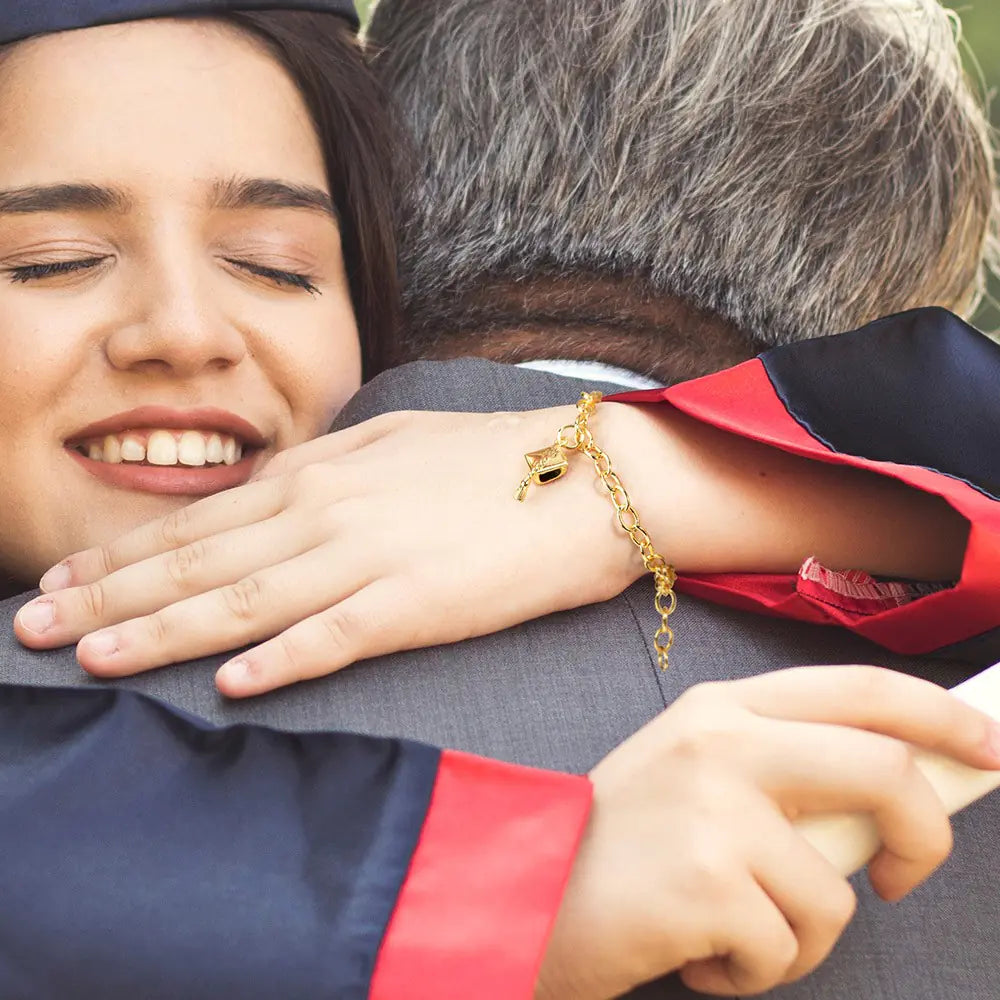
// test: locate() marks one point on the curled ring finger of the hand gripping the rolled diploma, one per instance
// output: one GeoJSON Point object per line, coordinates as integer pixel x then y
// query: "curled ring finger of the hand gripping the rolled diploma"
{"type": "Point", "coordinates": [814, 898]}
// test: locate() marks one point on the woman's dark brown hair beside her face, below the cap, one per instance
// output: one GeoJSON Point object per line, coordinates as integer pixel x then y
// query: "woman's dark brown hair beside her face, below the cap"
{"type": "Point", "coordinates": [358, 134]}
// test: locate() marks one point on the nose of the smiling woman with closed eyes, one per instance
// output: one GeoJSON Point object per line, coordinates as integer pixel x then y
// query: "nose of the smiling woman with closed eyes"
{"type": "Point", "coordinates": [175, 326]}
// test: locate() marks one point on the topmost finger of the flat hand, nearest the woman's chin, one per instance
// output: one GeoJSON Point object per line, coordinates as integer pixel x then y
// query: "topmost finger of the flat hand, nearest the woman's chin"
{"type": "Point", "coordinates": [223, 511]}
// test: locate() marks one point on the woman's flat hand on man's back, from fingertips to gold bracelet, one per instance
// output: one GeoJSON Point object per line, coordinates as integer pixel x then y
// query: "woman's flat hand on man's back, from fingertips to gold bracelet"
{"type": "Point", "coordinates": [399, 533]}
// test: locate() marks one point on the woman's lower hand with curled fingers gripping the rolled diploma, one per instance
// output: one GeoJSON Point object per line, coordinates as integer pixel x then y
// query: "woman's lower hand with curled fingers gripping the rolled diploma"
{"type": "Point", "coordinates": [691, 861]}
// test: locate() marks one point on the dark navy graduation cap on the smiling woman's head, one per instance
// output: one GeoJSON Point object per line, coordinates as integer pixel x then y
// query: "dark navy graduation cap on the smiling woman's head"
{"type": "Point", "coordinates": [23, 18]}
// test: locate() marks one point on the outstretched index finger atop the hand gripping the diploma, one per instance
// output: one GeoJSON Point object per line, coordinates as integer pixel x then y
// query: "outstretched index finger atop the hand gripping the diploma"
{"type": "Point", "coordinates": [879, 700]}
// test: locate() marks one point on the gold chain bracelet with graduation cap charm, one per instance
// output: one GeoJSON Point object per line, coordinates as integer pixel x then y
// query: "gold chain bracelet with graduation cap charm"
{"type": "Point", "coordinates": [550, 464]}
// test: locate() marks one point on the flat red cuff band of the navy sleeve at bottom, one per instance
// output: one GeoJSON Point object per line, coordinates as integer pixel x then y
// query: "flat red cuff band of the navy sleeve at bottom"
{"type": "Point", "coordinates": [485, 883]}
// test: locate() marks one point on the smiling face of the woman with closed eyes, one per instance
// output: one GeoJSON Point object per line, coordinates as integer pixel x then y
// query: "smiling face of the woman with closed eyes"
{"type": "Point", "coordinates": [172, 289]}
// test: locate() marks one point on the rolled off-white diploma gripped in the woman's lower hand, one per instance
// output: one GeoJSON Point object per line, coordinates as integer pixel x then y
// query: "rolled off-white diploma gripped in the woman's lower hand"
{"type": "Point", "coordinates": [851, 840]}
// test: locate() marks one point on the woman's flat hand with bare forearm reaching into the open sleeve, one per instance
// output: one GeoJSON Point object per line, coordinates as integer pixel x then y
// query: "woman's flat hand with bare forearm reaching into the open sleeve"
{"type": "Point", "coordinates": [403, 532]}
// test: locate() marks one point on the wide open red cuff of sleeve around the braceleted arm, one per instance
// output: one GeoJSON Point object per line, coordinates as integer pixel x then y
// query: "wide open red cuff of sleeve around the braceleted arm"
{"type": "Point", "coordinates": [742, 400]}
